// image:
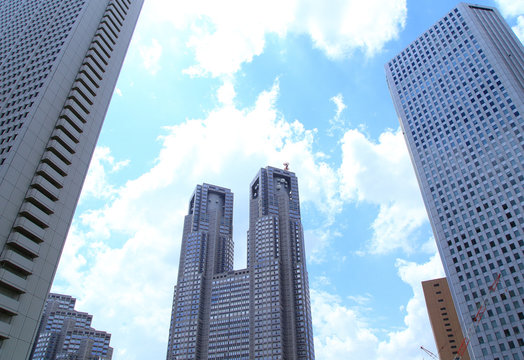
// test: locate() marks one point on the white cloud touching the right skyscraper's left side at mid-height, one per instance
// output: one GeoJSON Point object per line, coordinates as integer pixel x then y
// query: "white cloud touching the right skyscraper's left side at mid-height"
{"type": "Point", "coordinates": [381, 173]}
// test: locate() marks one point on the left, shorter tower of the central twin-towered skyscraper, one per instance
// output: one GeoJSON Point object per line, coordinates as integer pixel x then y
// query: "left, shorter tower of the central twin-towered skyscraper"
{"type": "Point", "coordinates": [207, 250]}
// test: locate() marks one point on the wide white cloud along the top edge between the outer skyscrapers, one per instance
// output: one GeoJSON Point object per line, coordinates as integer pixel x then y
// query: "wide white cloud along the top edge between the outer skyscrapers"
{"type": "Point", "coordinates": [224, 35]}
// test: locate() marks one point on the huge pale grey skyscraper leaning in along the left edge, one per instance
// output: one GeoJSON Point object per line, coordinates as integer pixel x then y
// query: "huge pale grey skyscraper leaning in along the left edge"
{"type": "Point", "coordinates": [59, 62]}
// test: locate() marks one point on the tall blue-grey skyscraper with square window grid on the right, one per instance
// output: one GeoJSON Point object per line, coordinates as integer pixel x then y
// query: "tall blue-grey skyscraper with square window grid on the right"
{"type": "Point", "coordinates": [459, 93]}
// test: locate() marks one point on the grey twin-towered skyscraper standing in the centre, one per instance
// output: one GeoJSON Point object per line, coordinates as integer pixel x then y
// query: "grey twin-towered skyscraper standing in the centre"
{"type": "Point", "coordinates": [261, 312]}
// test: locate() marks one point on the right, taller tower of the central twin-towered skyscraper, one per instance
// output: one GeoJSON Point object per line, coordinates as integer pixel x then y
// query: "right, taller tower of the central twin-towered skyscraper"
{"type": "Point", "coordinates": [280, 325]}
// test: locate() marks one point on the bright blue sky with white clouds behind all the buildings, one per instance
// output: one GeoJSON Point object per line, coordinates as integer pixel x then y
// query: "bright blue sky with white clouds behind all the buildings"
{"type": "Point", "coordinates": [212, 91]}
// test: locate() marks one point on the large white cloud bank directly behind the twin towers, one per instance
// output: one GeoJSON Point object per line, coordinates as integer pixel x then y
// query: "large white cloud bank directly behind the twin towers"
{"type": "Point", "coordinates": [121, 259]}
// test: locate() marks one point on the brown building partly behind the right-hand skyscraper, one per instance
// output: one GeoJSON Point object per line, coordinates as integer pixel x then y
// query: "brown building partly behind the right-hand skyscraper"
{"type": "Point", "coordinates": [443, 318]}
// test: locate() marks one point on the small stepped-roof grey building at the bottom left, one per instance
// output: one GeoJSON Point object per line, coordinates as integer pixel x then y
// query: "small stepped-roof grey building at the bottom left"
{"type": "Point", "coordinates": [65, 333]}
